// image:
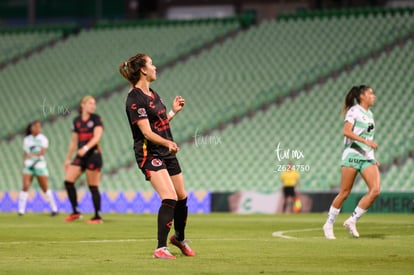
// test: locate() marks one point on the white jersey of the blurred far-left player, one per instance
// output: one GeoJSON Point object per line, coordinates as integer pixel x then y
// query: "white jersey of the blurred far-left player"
{"type": "Point", "coordinates": [33, 145]}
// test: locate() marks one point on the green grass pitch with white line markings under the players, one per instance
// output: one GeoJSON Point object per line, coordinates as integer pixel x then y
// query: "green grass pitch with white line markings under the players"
{"type": "Point", "coordinates": [224, 244]}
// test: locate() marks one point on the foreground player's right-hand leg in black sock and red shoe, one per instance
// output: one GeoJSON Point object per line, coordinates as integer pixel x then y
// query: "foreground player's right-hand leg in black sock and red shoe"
{"type": "Point", "coordinates": [180, 216]}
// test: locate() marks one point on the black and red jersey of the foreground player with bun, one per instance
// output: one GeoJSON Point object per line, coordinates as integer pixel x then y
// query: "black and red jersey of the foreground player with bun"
{"type": "Point", "coordinates": [141, 106]}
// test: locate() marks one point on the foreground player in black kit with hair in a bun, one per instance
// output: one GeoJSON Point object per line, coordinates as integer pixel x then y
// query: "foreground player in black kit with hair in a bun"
{"type": "Point", "coordinates": [155, 151]}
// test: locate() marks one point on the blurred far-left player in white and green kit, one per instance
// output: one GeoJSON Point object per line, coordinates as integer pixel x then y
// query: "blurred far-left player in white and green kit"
{"type": "Point", "coordinates": [34, 146]}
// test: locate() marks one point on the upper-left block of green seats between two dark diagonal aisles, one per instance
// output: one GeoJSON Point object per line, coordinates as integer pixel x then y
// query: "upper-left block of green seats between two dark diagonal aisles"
{"type": "Point", "coordinates": [81, 65]}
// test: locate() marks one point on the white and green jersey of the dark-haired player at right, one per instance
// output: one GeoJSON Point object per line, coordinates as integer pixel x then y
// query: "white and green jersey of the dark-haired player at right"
{"type": "Point", "coordinates": [363, 126]}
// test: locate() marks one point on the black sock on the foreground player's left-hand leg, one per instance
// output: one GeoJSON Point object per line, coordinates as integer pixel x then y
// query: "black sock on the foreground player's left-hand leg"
{"type": "Point", "coordinates": [165, 218]}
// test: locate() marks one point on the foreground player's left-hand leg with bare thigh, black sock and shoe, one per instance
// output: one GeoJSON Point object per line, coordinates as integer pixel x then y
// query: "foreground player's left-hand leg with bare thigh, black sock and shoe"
{"type": "Point", "coordinates": [162, 184]}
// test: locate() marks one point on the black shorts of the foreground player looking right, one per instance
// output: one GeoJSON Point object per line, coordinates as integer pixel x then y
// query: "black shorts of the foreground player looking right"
{"type": "Point", "coordinates": [155, 164]}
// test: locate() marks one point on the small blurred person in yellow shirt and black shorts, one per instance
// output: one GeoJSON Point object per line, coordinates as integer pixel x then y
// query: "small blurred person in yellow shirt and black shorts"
{"type": "Point", "coordinates": [289, 178]}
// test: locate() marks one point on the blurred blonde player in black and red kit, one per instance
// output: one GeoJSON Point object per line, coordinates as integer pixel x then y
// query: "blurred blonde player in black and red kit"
{"type": "Point", "coordinates": [87, 130]}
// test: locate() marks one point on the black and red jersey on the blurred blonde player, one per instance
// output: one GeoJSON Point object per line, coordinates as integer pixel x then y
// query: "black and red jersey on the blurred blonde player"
{"type": "Point", "coordinates": [84, 129]}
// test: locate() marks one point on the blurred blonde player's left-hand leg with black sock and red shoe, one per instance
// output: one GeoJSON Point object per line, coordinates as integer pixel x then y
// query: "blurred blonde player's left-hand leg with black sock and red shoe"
{"type": "Point", "coordinates": [72, 174]}
